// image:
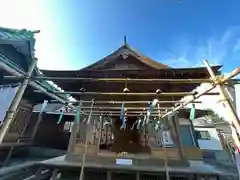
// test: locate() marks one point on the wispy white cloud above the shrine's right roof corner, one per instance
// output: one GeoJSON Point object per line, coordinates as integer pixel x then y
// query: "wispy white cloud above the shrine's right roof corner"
{"type": "Point", "coordinates": [216, 48]}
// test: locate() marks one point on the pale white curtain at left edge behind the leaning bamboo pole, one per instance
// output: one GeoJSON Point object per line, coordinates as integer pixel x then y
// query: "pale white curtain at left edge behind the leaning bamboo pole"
{"type": "Point", "coordinates": [7, 94]}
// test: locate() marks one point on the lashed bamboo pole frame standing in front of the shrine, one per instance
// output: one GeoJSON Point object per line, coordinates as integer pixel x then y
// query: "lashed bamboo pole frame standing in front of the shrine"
{"type": "Point", "coordinates": [28, 80]}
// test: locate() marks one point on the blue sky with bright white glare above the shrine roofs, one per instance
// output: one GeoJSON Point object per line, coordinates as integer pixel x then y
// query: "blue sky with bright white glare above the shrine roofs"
{"type": "Point", "coordinates": [75, 33]}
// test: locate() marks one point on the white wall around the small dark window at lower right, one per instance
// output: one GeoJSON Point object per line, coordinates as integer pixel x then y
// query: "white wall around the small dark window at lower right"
{"type": "Point", "coordinates": [214, 143]}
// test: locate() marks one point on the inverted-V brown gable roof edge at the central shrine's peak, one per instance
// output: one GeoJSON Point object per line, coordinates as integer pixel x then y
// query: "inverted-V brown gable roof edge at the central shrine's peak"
{"type": "Point", "coordinates": [126, 50]}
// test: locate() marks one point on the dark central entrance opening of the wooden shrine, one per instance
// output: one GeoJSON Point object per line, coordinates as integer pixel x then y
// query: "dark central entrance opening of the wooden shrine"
{"type": "Point", "coordinates": [128, 140]}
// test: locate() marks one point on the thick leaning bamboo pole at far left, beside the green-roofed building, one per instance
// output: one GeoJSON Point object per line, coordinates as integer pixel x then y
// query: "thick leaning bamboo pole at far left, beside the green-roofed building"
{"type": "Point", "coordinates": [15, 102]}
